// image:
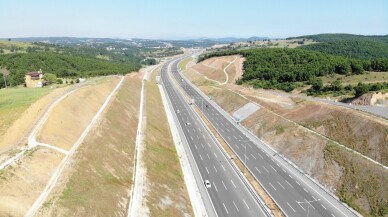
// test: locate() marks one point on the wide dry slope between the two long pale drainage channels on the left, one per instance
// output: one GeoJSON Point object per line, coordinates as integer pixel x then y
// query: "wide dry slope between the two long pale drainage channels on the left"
{"type": "Point", "coordinates": [99, 180]}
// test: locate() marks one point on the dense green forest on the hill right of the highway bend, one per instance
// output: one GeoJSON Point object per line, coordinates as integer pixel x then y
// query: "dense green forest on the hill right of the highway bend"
{"type": "Point", "coordinates": [287, 69]}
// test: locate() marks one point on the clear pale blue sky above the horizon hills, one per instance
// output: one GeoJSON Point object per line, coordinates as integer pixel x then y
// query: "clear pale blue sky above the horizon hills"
{"type": "Point", "coordinates": [184, 19]}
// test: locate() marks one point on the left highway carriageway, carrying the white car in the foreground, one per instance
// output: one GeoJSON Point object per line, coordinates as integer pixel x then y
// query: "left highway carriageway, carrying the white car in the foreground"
{"type": "Point", "coordinates": [228, 194]}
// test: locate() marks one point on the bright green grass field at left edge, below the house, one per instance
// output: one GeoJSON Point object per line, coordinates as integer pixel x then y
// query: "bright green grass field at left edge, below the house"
{"type": "Point", "coordinates": [14, 101]}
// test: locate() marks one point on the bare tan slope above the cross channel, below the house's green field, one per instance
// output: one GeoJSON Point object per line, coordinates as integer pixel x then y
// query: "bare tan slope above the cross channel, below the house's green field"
{"type": "Point", "coordinates": [71, 116]}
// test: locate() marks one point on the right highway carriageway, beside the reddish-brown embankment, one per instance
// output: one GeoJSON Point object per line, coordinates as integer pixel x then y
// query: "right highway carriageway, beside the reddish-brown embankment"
{"type": "Point", "coordinates": [295, 194]}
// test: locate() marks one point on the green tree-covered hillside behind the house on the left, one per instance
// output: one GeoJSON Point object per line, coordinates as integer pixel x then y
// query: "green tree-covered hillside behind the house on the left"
{"type": "Point", "coordinates": [59, 64]}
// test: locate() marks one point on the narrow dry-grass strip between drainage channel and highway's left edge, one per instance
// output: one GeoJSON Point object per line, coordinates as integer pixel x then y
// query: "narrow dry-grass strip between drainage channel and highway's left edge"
{"type": "Point", "coordinates": [166, 192]}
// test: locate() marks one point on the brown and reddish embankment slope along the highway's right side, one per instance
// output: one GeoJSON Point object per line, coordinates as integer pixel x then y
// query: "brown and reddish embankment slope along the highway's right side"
{"type": "Point", "coordinates": [344, 173]}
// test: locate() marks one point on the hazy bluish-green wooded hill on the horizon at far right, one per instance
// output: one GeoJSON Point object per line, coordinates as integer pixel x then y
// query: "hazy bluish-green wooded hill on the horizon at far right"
{"type": "Point", "coordinates": [347, 45]}
